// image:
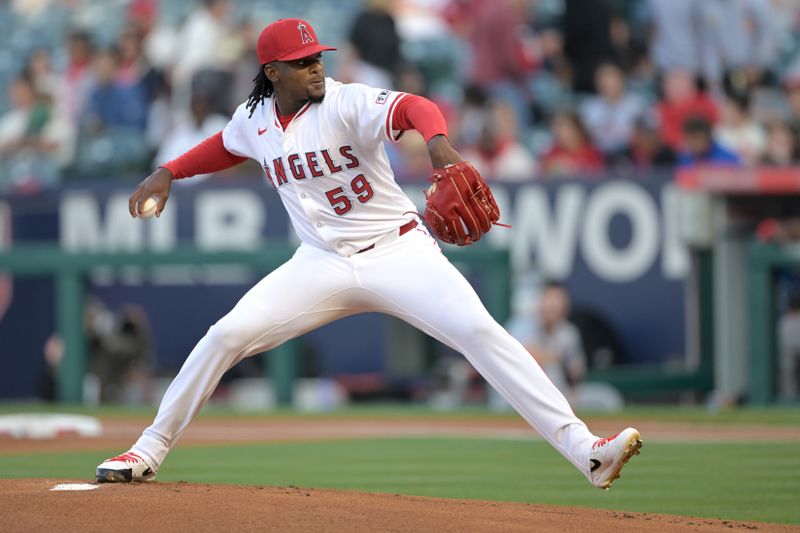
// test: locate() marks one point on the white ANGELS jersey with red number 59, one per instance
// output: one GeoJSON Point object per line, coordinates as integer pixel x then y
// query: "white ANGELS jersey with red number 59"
{"type": "Point", "coordinates": [329, 165]}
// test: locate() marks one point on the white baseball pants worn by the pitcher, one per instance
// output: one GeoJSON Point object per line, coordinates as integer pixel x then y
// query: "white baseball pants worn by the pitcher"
{"type": "Point", "coordinates": [407, 277]}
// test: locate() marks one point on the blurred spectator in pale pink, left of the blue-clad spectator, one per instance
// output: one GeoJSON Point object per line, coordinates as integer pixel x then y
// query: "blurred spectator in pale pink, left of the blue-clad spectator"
{"type": "Point", "coordinates": [76, 80]}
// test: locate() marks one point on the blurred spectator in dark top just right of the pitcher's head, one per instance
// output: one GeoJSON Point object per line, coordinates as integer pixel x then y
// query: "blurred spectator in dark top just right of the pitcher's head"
{"type": "Point", "coordinates": [373, 55]}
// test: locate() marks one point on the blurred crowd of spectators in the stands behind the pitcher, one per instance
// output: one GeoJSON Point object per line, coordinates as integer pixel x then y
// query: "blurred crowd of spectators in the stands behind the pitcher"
{"type": "Point", "coordinates": [531, 89]}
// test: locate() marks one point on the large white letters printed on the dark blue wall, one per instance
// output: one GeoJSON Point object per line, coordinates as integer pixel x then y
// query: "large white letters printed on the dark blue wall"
{"type": "Point", "coordinates": [550, 230]}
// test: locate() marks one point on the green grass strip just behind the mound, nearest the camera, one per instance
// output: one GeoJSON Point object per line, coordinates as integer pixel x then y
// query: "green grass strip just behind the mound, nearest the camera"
{"type": "Point", "coordinates": [732, 481]}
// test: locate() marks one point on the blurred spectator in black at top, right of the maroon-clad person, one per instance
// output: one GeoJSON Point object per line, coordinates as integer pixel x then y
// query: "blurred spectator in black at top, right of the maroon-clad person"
{"type": "Point", "coordinates": [587, 40]}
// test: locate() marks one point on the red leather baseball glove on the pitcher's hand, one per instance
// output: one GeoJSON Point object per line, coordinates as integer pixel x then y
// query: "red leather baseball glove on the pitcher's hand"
{"type": "Point", "coordinates": [460, 207]}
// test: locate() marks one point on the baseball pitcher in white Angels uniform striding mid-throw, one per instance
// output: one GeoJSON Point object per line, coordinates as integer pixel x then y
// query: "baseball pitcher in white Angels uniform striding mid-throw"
{"type": "Point", "coordinates": [363, 249]}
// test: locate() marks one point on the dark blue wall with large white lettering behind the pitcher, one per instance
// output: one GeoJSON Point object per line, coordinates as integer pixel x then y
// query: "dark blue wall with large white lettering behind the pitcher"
{"type": "Point", "coordinates": [612, 241]}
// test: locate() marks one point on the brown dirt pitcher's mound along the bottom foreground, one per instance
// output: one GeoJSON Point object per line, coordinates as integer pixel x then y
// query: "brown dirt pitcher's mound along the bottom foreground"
{"type": "Point", "coordinates": [30, 505]}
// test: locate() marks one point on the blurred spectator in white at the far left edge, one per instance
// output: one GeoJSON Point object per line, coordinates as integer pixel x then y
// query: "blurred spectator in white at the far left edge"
{"type": "Point", "coordinates": [34, 140]}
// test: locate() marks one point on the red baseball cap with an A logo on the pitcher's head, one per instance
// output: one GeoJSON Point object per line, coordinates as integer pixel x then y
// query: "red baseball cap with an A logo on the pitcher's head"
{"type": "Point", "coordinates": [287, 40]}
